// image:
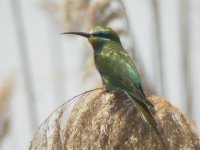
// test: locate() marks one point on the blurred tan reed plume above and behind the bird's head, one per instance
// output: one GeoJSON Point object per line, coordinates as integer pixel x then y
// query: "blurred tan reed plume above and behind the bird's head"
{"type": "Point", "coordinates": [82, 15]}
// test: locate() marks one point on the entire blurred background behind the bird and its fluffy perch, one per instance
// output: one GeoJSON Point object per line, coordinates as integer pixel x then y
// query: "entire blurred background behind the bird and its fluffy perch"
{"type": "Point", "coordinates": [40, 69]}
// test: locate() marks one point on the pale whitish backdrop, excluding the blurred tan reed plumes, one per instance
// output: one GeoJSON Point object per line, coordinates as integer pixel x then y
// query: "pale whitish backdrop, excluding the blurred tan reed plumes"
{"type": "Point", "coordinates": [47, 68]}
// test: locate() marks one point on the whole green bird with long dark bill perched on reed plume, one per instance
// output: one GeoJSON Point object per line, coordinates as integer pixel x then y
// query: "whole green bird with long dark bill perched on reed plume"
{"type": "Point", "coordinates": [117, 70]}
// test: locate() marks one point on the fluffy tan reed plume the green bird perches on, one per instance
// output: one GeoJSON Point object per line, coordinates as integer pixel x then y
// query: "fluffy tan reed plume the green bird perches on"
{"type": "Point", "coordinates": [101, 120]}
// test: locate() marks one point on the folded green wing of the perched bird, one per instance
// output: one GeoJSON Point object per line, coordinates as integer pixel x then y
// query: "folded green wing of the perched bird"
{"type": "Point", "coordinates": [122, 73]}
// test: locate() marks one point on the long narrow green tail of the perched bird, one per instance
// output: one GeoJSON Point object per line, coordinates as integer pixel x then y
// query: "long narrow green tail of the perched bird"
{"type": "Point", "coordinates": [148, 118]}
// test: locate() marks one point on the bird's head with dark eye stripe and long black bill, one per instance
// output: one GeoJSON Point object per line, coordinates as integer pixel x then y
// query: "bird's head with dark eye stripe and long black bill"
{"type": "Point", "coordinates": [98, 36]}
